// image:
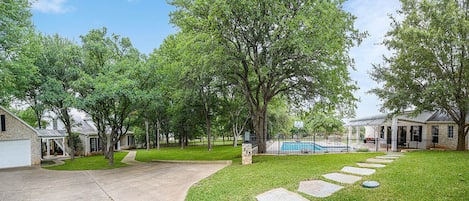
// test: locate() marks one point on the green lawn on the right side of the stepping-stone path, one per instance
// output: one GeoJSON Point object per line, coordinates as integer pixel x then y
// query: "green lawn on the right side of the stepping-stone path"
{"type": "Point", "coordinates": [426, 175]}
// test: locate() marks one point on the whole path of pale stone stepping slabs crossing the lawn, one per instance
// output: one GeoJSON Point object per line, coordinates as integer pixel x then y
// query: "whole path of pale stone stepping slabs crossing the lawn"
{"type": "Point", "coordinates": [320, 188]}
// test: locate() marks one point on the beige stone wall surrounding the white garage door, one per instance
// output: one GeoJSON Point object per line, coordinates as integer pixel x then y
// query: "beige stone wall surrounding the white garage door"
{"type": "Point", "coordinates": [16, 129]}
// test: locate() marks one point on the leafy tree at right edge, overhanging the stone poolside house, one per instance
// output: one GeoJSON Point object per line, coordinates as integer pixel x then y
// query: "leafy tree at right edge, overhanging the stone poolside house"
{"type": "Point", "coordinates": [429, 68]}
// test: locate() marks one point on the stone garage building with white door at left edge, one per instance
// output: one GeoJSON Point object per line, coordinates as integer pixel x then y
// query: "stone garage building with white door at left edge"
{"type": "Point", "coordinates": [19, 142]}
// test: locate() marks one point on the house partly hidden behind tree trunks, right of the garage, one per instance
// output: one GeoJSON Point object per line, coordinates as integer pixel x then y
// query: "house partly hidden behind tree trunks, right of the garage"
{"type": "Point", "coordinates": [85, 127]}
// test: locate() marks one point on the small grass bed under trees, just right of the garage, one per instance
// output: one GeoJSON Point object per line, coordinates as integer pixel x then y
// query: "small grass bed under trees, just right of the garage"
{"type": "Point", "coordinates": [91, 163]}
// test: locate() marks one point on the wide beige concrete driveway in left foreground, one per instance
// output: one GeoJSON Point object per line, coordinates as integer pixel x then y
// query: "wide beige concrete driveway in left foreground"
{"type": "Point", "coordinates": [147, 181]}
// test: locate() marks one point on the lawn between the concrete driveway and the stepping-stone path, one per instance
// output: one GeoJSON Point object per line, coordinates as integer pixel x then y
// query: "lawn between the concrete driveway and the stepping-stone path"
{"type": "Point", "coordinates": [244, 182]}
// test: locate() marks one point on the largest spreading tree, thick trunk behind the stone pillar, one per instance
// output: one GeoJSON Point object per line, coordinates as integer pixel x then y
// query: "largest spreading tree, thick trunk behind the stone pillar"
{"type": "Point", "coordinates": [295, 48]}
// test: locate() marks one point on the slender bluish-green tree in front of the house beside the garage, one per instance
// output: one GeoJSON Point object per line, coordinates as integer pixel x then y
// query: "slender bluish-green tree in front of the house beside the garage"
{"type": "Point", "coordinates": [60, 61]}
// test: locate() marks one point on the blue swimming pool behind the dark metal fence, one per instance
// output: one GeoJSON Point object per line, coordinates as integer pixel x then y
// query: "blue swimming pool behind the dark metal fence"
{"type": "Point", "coordinates": [309, 146]}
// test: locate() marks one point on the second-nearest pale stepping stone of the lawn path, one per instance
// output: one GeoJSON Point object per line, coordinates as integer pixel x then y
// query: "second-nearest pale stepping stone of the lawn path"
{"type": "Point", "coordinates": [318, 188]}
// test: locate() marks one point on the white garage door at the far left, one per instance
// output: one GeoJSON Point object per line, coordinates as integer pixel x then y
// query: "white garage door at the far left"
{"type": "Point", "coordinates": [15, 153]}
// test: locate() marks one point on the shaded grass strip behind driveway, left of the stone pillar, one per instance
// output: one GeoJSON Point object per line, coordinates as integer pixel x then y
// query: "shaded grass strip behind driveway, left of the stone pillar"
{"type": "Point", "coordinates": [226, 152]}
